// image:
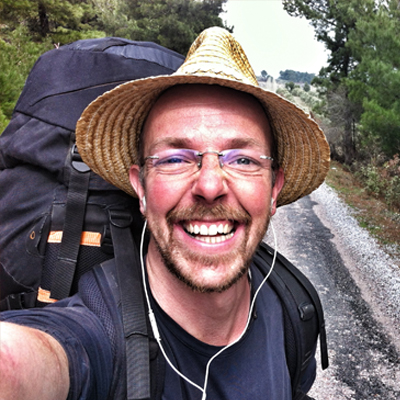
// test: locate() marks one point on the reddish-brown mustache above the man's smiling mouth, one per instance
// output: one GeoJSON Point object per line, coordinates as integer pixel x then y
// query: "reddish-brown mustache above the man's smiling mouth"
{"type": "Point", "coordinates": [201, 211]}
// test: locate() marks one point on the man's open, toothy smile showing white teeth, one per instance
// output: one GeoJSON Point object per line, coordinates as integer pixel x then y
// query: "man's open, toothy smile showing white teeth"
{"type": "Point", "coordinates": [210, 232]}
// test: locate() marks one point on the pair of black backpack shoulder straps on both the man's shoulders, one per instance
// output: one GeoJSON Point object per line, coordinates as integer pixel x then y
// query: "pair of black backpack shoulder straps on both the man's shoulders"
{"type": "Point", "coordinates": [302, 311]}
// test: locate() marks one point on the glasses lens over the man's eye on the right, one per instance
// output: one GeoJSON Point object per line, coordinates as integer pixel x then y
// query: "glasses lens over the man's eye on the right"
{"type": "Point", "coordinates": [243, 161]}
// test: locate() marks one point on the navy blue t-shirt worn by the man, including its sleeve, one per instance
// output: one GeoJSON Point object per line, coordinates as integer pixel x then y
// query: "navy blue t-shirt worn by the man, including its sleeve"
{"type": "Point", "coordinates": [254, 368]}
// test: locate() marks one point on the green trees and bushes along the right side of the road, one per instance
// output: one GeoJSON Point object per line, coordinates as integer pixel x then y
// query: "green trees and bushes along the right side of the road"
{"type": "Point", "coordinates": [359, 108]}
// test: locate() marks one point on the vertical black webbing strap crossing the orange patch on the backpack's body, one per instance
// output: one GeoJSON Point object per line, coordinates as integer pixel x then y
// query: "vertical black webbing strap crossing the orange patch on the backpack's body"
{"type": "Point", "coordinates": [78, 189]}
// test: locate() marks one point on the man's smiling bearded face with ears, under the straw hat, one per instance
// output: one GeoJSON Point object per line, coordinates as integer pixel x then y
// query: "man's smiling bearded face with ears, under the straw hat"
{"type": "Point", "coordinates": [207, 224]}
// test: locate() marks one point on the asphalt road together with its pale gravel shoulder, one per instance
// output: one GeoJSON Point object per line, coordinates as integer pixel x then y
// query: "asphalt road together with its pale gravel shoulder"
{"type": "Point", "coordinates": [359, 286]}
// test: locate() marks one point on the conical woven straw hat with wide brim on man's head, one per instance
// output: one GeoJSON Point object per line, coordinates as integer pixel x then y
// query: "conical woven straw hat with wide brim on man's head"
{"type": "Point", "coordinates": [108, 131]}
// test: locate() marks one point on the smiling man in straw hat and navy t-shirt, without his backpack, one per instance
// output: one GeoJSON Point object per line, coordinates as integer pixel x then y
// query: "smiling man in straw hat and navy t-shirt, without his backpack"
{"type": "Point", "coordinates": [210, 156]}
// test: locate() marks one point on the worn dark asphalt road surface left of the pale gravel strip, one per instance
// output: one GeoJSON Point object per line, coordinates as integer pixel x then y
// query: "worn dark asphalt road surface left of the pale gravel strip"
{"type": "Point", "coordinates": [363, 342]}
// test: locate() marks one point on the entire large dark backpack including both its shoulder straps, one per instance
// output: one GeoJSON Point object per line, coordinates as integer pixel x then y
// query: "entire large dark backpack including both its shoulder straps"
{"type": "Point", "coordinates": [58, 219]}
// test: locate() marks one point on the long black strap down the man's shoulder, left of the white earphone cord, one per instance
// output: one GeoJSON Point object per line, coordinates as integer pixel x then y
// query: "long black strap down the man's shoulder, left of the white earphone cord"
{"type": "Point", "coordinates": [134, 315]}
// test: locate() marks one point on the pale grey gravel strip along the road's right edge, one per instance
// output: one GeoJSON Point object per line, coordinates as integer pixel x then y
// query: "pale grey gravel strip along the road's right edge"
{"type": "Point", "coordinates": [375, 272]}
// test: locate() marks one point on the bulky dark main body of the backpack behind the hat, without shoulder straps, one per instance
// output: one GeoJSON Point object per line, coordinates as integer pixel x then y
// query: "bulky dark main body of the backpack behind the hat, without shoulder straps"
{"type": "Point", "coordinates": [55, 214]}
